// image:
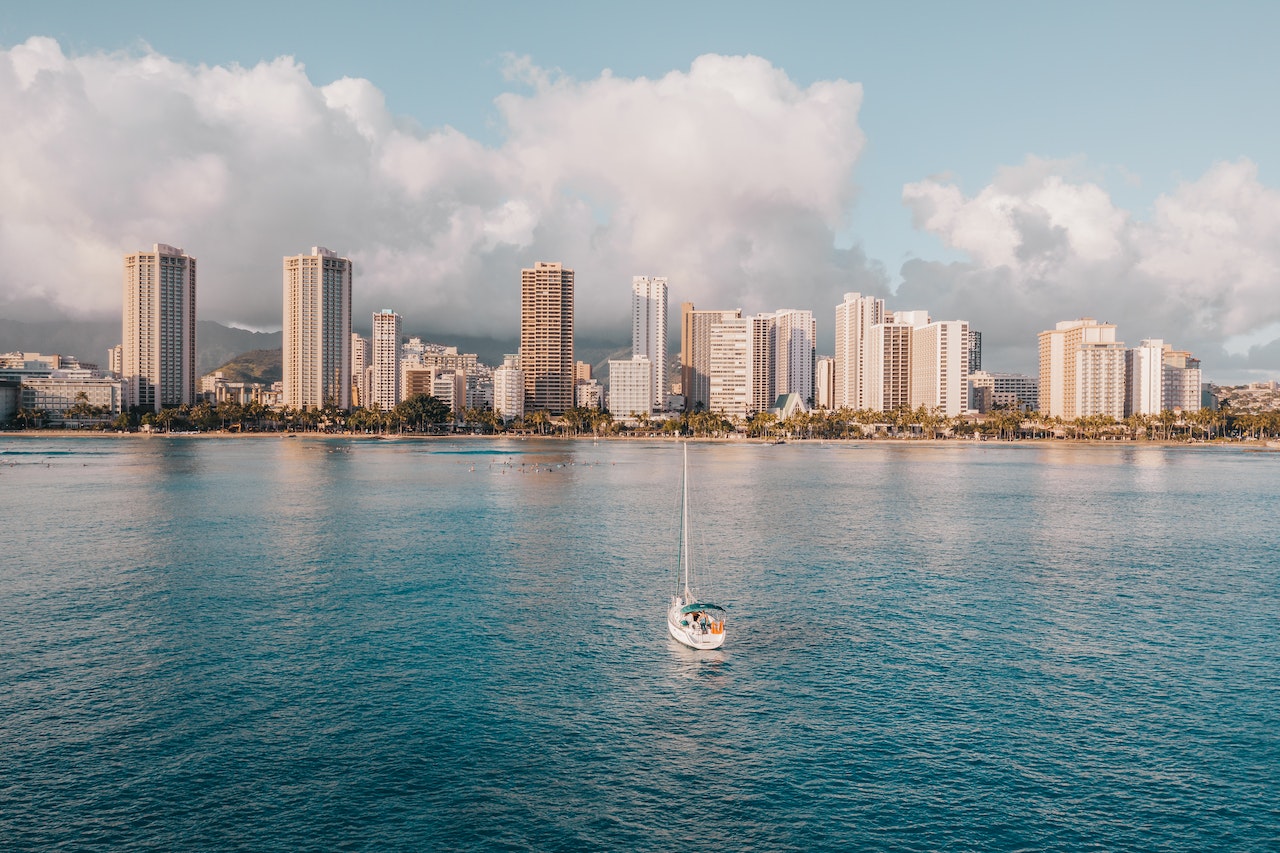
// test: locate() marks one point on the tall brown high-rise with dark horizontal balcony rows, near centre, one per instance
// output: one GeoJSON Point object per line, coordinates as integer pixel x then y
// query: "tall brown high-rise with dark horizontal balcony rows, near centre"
{"type": "Point", "coordinates": [547, 336]}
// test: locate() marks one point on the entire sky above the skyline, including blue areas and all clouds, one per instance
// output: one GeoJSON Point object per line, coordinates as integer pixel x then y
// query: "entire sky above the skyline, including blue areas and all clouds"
{"type": "Point", "coordinates": [1009, 165]}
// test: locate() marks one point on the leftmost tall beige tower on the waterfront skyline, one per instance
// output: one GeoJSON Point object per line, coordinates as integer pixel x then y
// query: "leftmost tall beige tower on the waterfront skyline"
{"type": "Point", "coordinates": [158, 354]}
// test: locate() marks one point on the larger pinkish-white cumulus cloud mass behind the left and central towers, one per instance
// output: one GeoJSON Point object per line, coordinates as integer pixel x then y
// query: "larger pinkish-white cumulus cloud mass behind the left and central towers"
{"type": "Point", "coordinates": [729, 179]}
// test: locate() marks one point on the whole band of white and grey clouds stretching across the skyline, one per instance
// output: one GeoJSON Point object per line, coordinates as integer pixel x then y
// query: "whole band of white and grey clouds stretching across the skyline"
{"type": "Point", "coordinates": [729, 179]}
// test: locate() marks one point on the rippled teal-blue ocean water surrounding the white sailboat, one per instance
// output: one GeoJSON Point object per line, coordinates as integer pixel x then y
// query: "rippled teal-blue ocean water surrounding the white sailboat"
{"type": "Point", "coordinates": [333, 645]}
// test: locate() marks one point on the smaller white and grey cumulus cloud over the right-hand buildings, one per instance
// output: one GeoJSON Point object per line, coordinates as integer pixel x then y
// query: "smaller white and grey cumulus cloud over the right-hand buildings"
{"type": "Point", "coordinates": [1048, 244]}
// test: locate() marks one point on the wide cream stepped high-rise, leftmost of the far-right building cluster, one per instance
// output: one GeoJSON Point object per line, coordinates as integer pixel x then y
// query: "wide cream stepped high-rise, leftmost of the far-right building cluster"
{"type": "Point", "coordinates": [1060, 362]}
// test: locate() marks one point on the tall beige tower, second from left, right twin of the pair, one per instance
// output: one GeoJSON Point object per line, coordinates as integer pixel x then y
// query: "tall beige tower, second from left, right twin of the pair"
{"type": "Point", "coordinates": [317, 343]}
